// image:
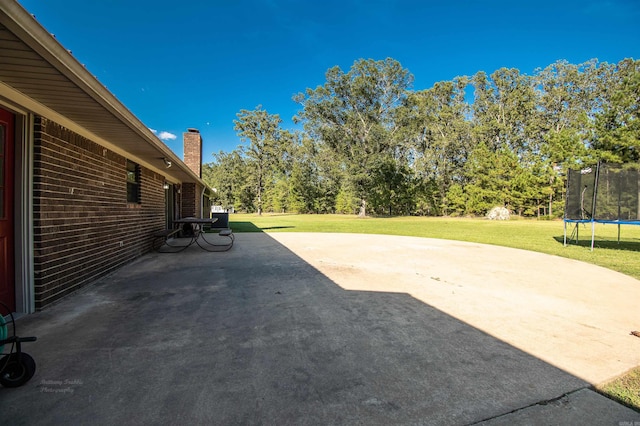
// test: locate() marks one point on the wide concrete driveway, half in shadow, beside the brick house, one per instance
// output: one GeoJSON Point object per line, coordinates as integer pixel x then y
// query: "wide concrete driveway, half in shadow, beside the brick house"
{"type": "Point", "coordinates": [290, 328]}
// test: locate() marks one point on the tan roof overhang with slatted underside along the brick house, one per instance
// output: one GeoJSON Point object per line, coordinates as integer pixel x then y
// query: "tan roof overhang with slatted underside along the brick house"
{"type": "Point", "coordinates": [36, 66]}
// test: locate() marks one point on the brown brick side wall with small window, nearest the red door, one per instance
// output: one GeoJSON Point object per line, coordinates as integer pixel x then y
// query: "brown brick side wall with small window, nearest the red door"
{"type": "Point", "coordinates": [83, 225]}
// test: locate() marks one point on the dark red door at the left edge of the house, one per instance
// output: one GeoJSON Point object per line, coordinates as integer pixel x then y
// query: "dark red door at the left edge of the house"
{"type": "Point", "coordinates": [7, 288]}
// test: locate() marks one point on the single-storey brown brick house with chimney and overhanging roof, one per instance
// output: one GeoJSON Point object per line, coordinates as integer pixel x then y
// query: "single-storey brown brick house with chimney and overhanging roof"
{"type": "Point", "coordinates": [83, 183]}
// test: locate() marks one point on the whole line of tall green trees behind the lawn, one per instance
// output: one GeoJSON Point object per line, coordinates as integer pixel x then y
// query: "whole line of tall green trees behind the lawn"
{"type": "Point", "coordinates": [370, 144]}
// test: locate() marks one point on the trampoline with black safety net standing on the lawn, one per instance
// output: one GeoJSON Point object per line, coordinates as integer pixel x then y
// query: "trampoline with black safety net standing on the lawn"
{"type": "Point", "coordinates": [604, 193]}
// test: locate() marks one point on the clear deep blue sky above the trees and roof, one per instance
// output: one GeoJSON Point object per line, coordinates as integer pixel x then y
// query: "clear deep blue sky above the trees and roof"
{"type": "Point", "coordinates": [197, 63]}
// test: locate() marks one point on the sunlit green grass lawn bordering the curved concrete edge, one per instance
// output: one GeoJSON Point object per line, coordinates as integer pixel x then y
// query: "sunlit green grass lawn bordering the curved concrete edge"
{"type": "Point", "coordinates": [541, 236]}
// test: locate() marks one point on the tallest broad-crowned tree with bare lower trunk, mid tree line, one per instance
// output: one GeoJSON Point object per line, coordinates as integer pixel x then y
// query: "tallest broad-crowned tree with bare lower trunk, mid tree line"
{"type": "Point", "coordinates": [353, 113]}
